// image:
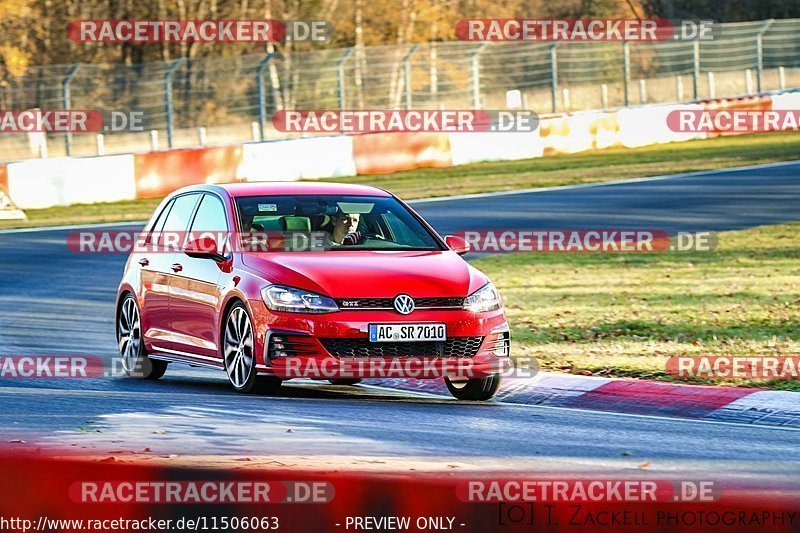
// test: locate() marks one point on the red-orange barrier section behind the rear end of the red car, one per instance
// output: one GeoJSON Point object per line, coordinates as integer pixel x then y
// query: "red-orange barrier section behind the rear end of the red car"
{"type": "Point", "coordinates": [159, 173]}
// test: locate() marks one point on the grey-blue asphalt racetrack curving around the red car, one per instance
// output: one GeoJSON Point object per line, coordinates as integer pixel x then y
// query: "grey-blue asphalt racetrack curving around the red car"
{"type": "Point", "coordinates": [55, 302]}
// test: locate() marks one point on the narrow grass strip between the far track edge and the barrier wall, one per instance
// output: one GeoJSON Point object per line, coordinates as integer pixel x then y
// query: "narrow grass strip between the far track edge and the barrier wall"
{"type": "Point", "coordinates": [605, 165]}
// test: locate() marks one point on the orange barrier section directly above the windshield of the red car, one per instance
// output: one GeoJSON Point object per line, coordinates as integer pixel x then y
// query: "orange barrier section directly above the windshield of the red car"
{"type": "Point", "coordinates": [381, 153]}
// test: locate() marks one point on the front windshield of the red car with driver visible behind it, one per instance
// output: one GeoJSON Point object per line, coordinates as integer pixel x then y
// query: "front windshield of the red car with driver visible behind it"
{"type": "Point", "coordinates": [349, 222]}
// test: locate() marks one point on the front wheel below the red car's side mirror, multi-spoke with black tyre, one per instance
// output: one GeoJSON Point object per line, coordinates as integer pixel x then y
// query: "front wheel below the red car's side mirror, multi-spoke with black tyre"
{"type": "Point", "coordinates": [240, 364]}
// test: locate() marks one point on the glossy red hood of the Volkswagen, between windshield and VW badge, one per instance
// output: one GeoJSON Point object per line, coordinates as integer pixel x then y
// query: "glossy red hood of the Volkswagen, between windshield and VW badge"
{"type": "Point", "coordinates": [370, 274]}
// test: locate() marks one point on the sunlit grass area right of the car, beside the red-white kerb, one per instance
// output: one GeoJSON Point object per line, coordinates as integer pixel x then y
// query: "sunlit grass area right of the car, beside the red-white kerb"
{"type": "Point", "coordinates": [624, 315]}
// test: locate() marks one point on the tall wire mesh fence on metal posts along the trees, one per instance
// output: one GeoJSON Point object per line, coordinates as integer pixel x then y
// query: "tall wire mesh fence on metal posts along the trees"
{"type": "Point", "coordinates": [216, 100]}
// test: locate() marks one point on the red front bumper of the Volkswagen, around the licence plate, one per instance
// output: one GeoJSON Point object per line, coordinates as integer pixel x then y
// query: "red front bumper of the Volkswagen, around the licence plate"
{"type": "Point", "coordinates": [302, 354]}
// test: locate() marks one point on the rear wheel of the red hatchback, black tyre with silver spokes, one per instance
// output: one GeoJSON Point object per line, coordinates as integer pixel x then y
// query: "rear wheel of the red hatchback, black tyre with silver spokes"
{"type": "Point", "coordinates": [135, 360]}
